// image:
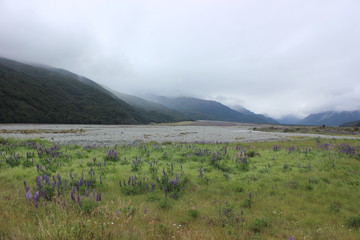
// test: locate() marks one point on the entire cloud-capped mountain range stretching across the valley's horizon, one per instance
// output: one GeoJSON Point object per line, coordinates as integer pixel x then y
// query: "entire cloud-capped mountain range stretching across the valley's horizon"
{"type": "Point", "coordinates": [34, 93]}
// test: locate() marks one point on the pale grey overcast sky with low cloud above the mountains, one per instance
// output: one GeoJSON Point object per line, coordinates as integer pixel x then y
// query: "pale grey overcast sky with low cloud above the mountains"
{"type": "Point", "coordinates": [272, 57]}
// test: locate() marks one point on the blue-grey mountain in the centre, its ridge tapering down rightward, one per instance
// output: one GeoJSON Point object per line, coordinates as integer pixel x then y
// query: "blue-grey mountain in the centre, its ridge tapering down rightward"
{"type": "Point", "coordinates": [200, 109]}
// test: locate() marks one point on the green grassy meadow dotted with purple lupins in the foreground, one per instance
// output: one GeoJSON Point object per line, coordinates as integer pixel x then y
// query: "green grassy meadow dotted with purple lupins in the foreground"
{"type": "Point", "coordinates": [296, 189]}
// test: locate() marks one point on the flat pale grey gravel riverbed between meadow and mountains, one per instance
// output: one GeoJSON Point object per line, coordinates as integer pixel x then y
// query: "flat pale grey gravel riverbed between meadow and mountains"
{"type": "Point", "coordinates": [128, 134]}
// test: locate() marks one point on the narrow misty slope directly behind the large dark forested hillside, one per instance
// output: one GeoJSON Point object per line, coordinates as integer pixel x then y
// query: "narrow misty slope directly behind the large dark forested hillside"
{"type": "Point", "coordinates": [157, 112]}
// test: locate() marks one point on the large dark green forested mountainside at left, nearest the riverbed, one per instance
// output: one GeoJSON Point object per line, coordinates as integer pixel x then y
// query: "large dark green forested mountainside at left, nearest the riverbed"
{"type": "Point", "coordinates": [42, 94]}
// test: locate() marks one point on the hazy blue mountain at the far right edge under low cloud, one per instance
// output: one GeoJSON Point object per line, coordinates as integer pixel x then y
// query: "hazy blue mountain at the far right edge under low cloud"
{"type": "Point", "coordinates": [331, 118]}
